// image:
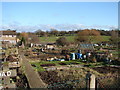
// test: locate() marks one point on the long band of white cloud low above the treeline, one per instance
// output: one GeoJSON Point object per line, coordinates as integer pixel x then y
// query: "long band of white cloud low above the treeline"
{"type": "Point", "coordinates": [47, 27]}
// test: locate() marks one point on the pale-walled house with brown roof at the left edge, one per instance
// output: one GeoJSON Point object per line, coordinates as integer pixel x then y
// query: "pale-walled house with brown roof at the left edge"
{"type": "Point", "coordinates": [8, 36]}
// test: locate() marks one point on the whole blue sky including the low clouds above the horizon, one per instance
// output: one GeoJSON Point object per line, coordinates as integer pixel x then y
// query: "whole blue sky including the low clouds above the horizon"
{"type": "Point", "coordinates": [31, 16]}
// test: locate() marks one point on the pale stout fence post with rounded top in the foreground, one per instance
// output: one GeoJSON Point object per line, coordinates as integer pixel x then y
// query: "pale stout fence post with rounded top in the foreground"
{"type": "Point", "coordinates": [90, 81]}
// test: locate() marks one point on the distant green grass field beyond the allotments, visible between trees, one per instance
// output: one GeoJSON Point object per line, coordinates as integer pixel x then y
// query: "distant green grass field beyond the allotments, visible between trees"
{"type": "Point", "coordinates": [70, 39]}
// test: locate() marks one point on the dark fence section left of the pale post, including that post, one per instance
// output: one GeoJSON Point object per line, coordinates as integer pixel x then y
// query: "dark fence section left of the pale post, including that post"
{"type": "Point", "coordinates": [84, 83]}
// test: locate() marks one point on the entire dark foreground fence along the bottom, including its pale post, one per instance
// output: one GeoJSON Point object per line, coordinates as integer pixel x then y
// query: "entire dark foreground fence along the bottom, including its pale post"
{"type": "Point", "coordinates": [90, 82]}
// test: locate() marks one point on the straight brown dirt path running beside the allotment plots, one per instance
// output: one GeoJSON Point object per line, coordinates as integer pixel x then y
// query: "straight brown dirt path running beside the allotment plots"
{"type": "Point", "coordinates": [33, 77]}
